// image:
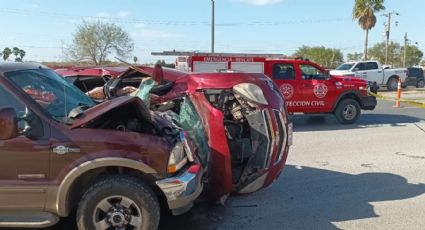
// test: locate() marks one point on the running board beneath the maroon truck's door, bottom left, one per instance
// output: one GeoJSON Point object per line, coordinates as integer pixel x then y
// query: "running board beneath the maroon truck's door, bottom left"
{"type": "Point", "coordinates": [28, 220]}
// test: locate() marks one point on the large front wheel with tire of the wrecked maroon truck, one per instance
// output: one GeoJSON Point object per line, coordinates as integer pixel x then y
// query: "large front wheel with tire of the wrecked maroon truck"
{"type": "Point", "coordinates": [118, 202]}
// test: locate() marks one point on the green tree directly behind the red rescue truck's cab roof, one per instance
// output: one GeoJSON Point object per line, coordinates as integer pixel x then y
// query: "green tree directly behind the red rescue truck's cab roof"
{"type": "Point", "coordinates": [324, 56]}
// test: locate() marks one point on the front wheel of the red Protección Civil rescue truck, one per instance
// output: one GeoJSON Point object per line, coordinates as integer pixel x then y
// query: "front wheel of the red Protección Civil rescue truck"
{"type": "Point", "coordinates": [347, 111]}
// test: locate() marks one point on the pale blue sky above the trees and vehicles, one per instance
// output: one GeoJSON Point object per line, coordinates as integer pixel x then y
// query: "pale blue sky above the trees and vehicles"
{"type": "Point", "coordinates": [42, 28]}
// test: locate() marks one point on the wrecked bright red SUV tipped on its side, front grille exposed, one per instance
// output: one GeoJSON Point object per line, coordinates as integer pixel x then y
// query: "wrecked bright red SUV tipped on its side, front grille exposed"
{"type": "Point", "coordinates": [237, 121]}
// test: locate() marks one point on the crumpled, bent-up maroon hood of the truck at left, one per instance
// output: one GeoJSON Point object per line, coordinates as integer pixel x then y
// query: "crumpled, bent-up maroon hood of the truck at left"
{"type": "Point", "coordinates": [100, 109]}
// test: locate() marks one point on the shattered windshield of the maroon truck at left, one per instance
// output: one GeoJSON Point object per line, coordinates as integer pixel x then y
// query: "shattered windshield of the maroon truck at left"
{"type": "Point", "coordinates": [57, 96]}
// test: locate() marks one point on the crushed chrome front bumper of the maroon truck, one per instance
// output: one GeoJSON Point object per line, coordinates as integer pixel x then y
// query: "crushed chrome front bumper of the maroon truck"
{"type": "Point", "coordinates": [182, 190]}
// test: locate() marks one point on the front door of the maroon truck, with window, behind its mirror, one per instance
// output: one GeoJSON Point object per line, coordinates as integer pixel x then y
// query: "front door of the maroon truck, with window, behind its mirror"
{"type": "Point", "coordinates": [24, 164]}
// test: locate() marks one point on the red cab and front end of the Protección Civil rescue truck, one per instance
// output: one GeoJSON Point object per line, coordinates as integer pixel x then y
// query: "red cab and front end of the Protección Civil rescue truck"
{"type": "Point", "coordinates": [308, 88]}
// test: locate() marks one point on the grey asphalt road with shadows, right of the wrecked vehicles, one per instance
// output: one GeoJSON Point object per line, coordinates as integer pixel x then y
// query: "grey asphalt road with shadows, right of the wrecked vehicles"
{"type": "Point", "coordinates": [369, 175]}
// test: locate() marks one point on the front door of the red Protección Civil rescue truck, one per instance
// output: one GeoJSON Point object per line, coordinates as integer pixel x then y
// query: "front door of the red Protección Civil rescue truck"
{"type": "Point", "coordinates": [316, 91]}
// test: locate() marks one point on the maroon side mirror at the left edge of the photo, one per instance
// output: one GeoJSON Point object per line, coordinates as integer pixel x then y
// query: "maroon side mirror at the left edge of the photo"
{"type": "Point", "coordinates": [8, 124]}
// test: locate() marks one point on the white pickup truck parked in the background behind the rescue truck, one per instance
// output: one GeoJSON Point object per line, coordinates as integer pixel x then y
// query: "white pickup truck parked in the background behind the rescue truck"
{"type": "Point", "coordinates": [372, 71]}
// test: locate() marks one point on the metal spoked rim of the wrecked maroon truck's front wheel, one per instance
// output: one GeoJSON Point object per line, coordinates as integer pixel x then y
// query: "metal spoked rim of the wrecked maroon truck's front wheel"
{"type": "Point", "coordinates": [117, 212]}
